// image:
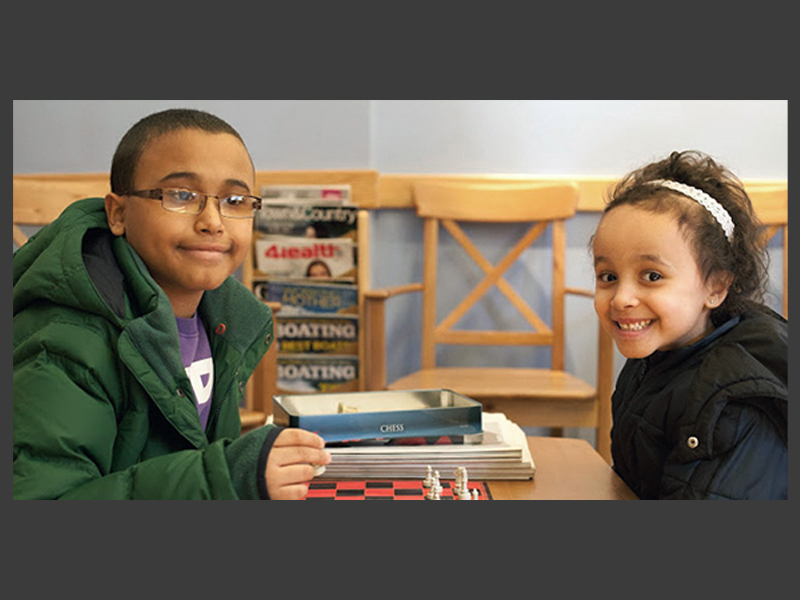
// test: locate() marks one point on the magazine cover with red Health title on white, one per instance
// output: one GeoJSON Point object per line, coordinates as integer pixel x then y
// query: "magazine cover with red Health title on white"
{"type": "Point", "coordinates": [294, 257]}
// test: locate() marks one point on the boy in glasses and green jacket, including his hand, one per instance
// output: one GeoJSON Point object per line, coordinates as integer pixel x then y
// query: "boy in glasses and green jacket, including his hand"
{"type": "Point", "coordinates": [133, 343]}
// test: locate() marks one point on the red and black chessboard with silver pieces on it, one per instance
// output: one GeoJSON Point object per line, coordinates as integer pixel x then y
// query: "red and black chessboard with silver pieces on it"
{"type": "Point", "coordinates": [432, 487]}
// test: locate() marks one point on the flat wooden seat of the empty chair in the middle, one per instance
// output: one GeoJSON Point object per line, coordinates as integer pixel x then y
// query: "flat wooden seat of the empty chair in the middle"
{"type": "Point", "coordinates": [529, 397]}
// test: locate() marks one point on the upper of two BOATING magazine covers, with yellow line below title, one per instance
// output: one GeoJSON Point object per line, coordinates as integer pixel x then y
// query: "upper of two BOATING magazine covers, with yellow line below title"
{"type": "Point", "coordinates": [317, 335]}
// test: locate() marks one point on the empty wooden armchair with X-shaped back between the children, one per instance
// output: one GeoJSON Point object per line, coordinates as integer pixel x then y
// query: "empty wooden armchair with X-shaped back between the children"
{"type": "Point", "coordinates": [543, 397]}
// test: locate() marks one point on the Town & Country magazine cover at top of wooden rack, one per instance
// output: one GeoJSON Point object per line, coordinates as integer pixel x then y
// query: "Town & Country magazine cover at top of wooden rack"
{"type": "Point", "coordinates": [307, 220]}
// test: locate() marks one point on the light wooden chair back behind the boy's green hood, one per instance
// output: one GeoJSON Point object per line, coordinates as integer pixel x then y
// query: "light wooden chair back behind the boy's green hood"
{"type": "Point", "coordinates": [39, 199]}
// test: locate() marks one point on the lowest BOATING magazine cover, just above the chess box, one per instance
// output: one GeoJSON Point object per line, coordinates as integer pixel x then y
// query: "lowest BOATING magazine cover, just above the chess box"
{"type": "Point", "coordinates": [303, 373]}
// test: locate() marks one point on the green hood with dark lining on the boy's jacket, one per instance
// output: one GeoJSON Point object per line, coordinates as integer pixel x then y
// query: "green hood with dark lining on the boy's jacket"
{"type": "Point", "coordinates": [56, 265]}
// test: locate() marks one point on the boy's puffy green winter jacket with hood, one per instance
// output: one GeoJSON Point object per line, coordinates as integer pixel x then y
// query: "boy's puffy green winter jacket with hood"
{"type": "Point", "coordinates": [102, 404]}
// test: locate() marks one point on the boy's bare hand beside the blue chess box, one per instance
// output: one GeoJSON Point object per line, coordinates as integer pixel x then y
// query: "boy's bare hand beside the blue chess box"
{"type": "Point", "coordinates": [291, 461]}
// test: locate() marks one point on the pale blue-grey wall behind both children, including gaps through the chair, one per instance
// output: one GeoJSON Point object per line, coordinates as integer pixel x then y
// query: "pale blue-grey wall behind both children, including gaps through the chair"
{"type": "Point", "coordinates": [581, 137]}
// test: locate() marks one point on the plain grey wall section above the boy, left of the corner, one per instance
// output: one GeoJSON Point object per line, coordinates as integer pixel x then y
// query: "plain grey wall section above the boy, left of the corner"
{"type": "Point", "coordinates": [81, 135]}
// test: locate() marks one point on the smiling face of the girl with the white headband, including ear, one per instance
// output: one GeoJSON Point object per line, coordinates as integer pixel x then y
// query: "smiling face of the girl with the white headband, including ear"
{"type": "Point", "coordinates": [649, 293]}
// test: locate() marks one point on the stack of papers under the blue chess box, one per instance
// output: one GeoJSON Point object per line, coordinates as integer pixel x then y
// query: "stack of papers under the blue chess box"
{"type": "Point", "coordinates": [503, 454]}
